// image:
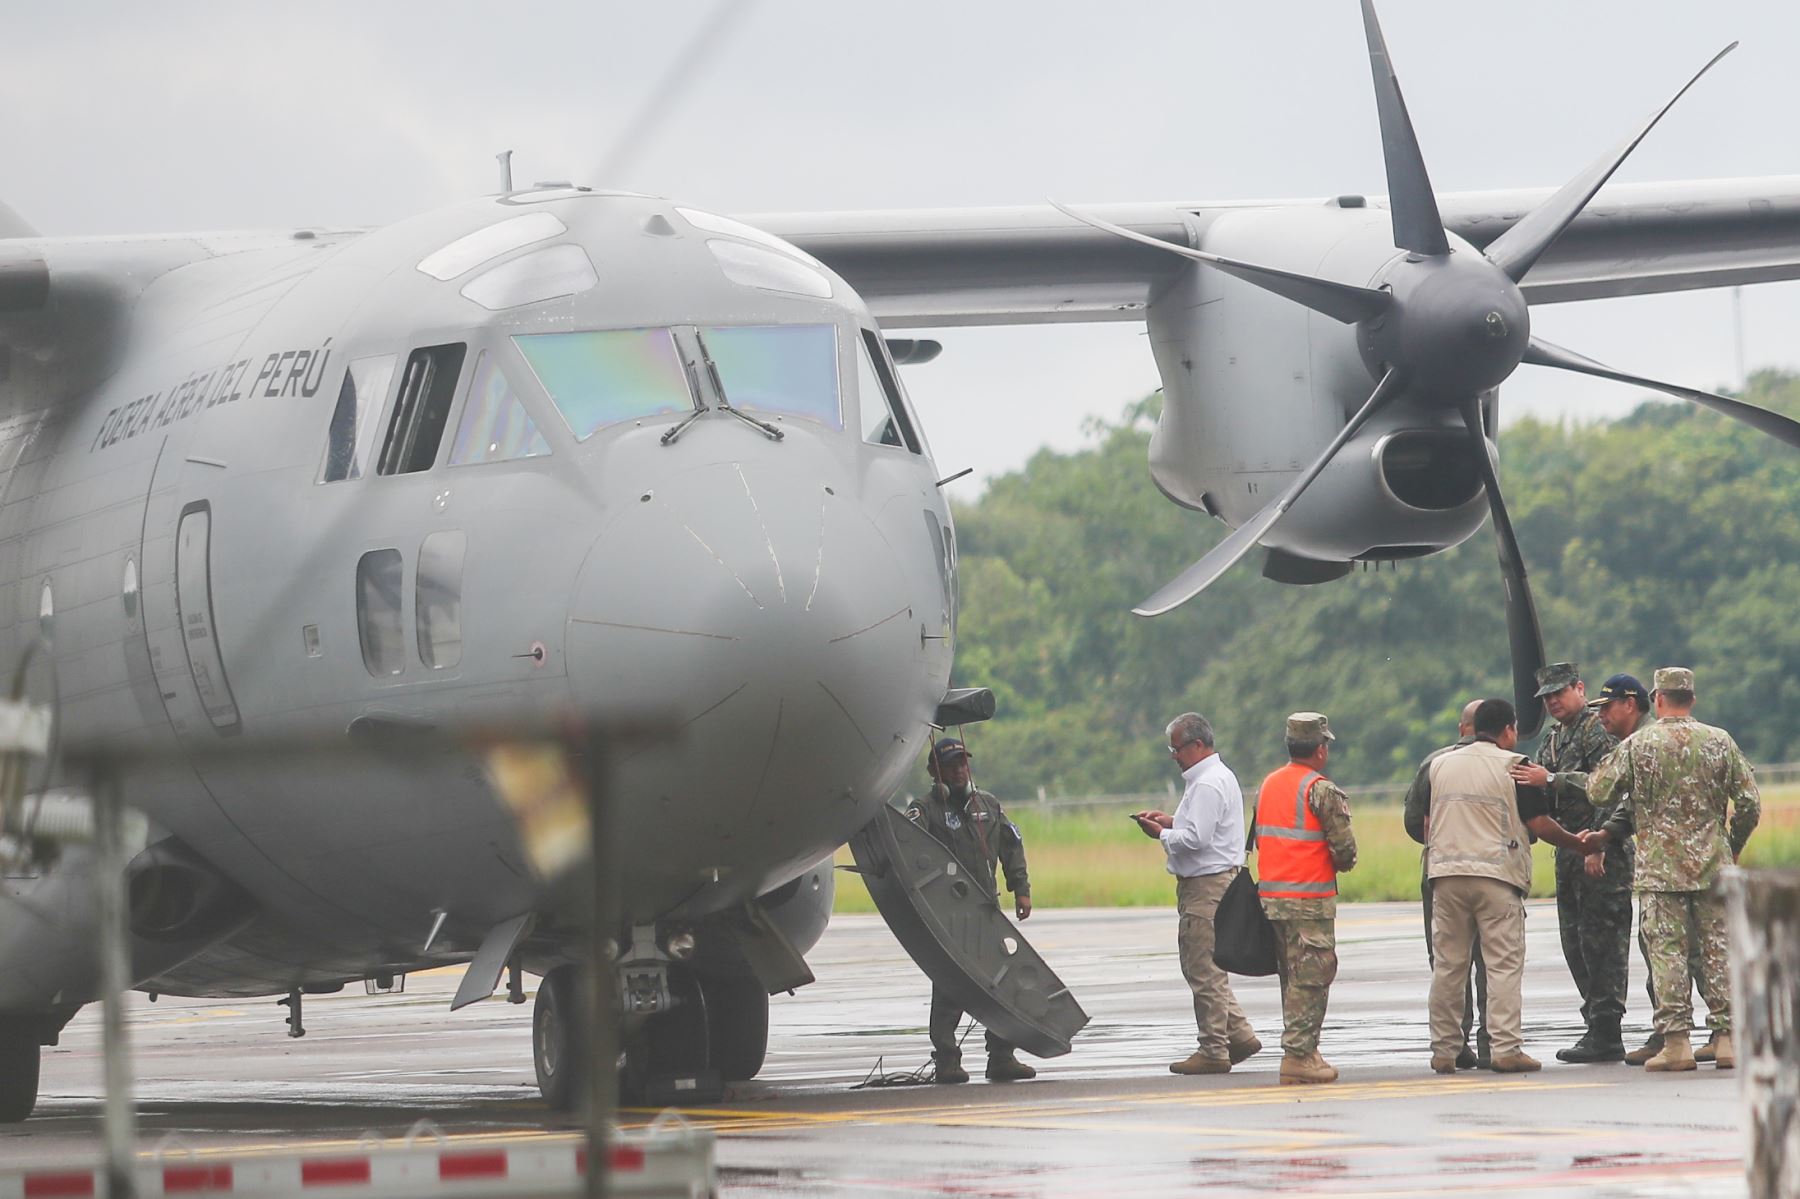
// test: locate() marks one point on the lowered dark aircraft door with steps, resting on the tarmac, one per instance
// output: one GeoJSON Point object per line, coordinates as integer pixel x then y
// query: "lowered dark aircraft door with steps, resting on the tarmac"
{"type": "Point", "coordinates": [958, 935]}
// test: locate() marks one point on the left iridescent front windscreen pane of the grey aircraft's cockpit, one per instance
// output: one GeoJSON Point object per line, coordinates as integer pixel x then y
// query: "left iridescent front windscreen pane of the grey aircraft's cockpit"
{"type": "Point", "coordinates": [609, 377]}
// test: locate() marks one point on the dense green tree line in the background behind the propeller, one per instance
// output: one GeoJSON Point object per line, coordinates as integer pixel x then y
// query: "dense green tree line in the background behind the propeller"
{"type": "Point", "coordinates": [1666, 537]}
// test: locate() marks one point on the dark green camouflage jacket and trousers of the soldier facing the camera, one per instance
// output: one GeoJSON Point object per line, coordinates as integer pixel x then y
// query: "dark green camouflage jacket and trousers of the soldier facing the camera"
{"type": "Point", "coordinates": [1594, 915]}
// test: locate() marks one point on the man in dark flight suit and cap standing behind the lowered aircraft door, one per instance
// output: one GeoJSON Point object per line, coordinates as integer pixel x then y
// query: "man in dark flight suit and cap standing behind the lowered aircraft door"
{"type": "Point", "coordinates": [971, 824]}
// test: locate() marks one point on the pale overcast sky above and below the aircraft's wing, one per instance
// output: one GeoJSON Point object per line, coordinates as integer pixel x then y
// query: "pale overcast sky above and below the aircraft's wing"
{"type": "Point", "coordinates": [134, 118]}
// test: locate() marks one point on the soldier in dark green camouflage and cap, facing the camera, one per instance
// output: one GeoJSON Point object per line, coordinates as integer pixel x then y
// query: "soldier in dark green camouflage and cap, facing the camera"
{"type": "Point", "coordinates": [1594, 894]}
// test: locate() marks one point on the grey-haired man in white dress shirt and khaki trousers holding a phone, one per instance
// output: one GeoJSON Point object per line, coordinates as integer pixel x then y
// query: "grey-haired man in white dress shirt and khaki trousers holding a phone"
{"type": "Point", "coordinates": [1205, 847]}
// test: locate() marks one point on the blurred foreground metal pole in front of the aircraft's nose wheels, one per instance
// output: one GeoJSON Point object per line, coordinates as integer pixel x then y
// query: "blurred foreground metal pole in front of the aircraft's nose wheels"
{"type": "Point", "coordinates": [602, 975]}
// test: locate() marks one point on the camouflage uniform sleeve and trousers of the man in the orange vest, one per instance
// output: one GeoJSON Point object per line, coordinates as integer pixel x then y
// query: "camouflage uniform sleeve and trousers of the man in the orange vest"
{"type": "Point", "coordinates": [1306, 932]}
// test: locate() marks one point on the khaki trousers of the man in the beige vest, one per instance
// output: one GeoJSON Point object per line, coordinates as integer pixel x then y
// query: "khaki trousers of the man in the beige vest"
{"type": "Point", "coordinates": [1468, 910]}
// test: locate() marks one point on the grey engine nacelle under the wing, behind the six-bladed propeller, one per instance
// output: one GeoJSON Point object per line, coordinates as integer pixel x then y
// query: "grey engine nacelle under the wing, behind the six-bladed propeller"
{"type": "Point", "coordinates": [1255, 388]}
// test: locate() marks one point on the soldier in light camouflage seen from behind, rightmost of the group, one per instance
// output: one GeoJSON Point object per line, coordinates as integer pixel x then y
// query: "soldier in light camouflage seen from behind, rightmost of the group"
{"type": "Point", "coordinates": [1689, 800]}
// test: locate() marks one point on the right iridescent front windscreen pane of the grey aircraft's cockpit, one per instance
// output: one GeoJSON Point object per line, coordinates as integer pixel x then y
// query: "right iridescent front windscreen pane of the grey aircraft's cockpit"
{"type": "Point", "coordinates": [778, 368]}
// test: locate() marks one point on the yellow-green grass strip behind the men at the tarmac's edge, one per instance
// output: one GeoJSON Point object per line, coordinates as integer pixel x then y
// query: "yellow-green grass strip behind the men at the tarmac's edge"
{"type": "Point", "coordinates": [1095, 858]}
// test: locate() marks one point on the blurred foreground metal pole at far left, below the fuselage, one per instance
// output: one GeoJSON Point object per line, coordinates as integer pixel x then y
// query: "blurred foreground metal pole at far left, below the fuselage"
{"type": "Point", "coordinates": [116, 982]}
